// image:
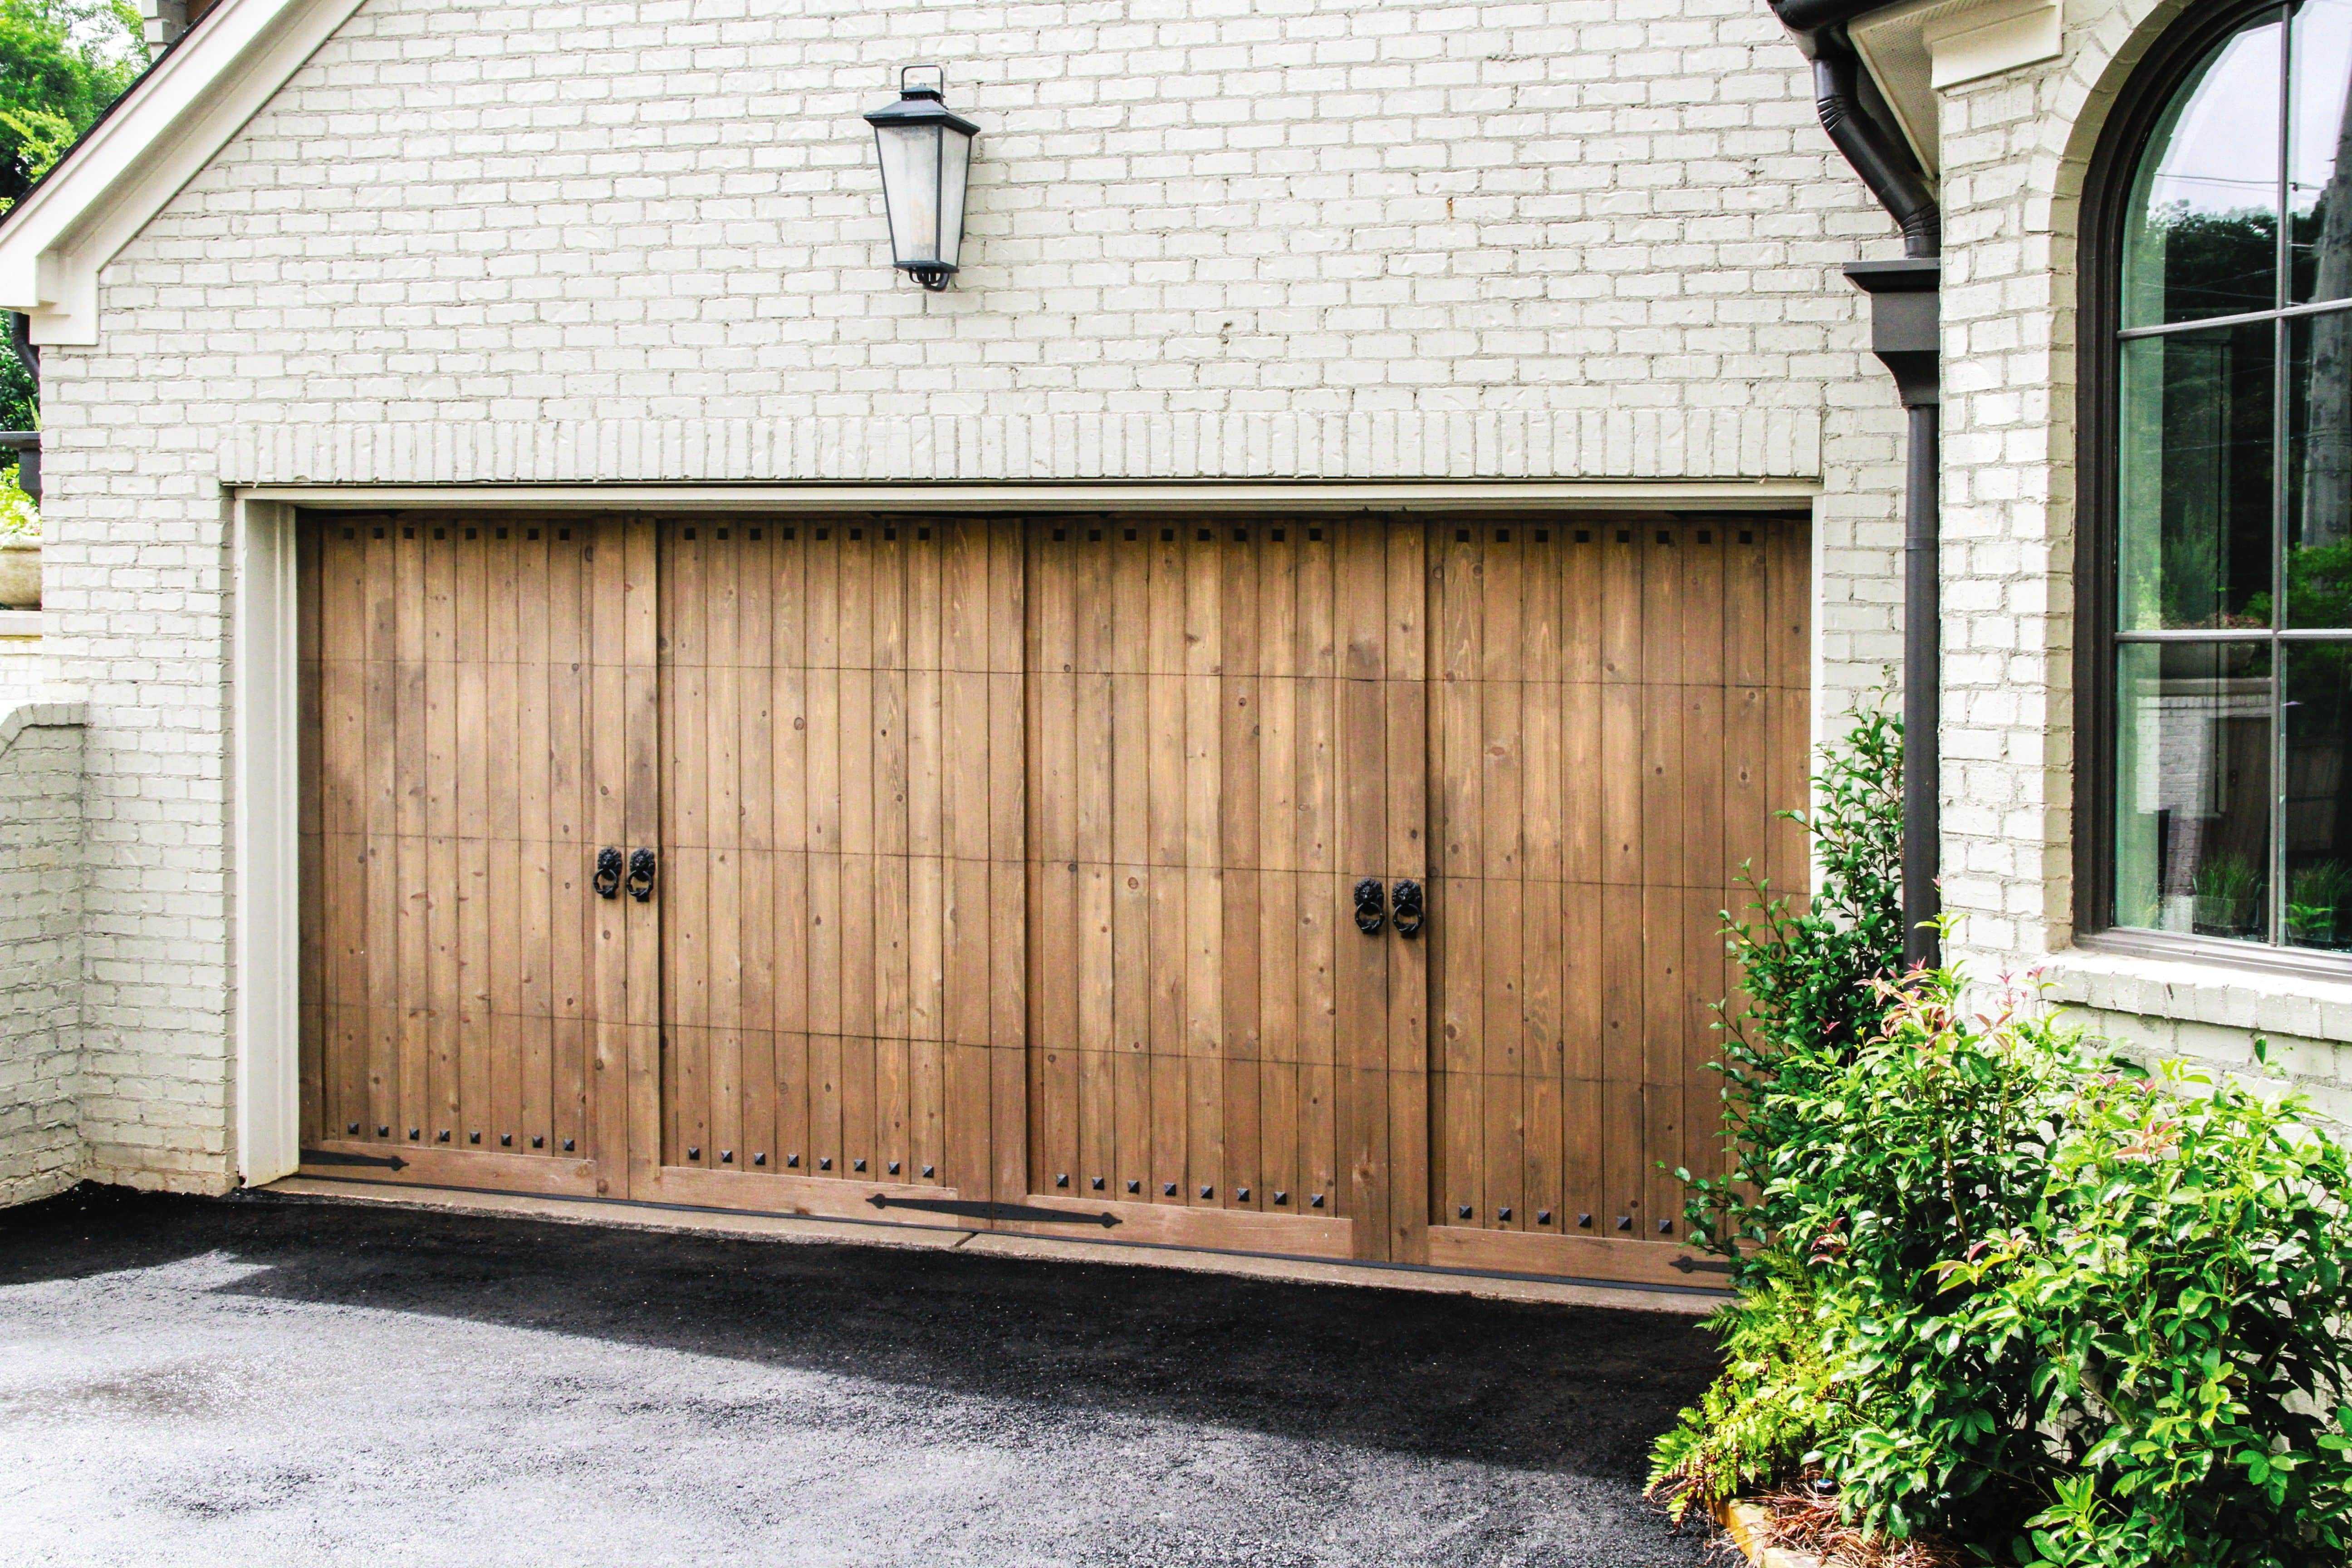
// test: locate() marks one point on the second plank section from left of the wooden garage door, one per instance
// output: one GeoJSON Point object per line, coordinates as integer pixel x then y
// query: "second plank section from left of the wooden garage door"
{"type": "Point", "coordinates": [824, 939]}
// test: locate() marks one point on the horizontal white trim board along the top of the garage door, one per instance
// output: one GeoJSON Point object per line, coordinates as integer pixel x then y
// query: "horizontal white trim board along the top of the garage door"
{"type": "Point", "coordinates": [1302, 497]}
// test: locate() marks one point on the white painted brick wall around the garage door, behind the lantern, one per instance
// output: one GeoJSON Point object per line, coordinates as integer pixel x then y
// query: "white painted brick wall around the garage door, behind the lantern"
{"type": "Point", "coordinates": [650, 215]}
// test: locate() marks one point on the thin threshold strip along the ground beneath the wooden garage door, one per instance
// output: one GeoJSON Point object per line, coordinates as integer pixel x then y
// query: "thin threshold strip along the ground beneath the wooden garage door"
{"type": "Point", "coordinates": [944, 1238]}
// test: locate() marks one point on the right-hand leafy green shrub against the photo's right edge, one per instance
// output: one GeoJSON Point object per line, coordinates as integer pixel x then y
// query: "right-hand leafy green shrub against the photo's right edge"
{"type": "Point", "coordinates": [2181, 1296]}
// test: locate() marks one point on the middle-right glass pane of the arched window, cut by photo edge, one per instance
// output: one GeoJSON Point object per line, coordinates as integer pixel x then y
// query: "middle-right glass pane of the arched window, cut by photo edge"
{"type": "Point", "coordinates": [2320, 474]}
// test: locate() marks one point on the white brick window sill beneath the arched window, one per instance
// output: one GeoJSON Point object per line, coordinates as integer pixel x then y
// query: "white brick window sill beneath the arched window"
{"type": "Point", "coordinates": [2269, 993]}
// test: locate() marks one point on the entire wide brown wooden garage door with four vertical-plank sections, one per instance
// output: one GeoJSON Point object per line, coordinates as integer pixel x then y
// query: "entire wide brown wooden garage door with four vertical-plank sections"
{"type": "Point", "coordinates": [1005, 869]}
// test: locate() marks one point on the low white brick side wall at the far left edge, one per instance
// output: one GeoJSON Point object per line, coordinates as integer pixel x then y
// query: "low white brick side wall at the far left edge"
{"type": "Point", "coordinates": [41, 949]}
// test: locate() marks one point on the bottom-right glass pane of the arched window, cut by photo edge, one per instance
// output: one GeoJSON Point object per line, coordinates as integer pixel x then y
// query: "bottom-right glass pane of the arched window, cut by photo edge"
{"type": "Point", "coordinates": [2320, 793]}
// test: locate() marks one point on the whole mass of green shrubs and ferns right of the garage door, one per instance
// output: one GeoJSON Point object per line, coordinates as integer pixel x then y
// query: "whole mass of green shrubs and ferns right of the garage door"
{"type": "Point", "coordinates": [2005, 1296]}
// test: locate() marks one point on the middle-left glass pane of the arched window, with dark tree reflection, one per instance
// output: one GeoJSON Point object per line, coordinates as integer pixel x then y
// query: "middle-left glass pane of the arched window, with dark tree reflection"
{"type": "Point", "coordinates": [2196, 500]}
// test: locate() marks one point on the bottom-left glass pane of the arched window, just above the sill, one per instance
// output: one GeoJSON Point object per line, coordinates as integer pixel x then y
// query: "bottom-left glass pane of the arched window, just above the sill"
{"type": "Point", "coordinates": [2193, 789]}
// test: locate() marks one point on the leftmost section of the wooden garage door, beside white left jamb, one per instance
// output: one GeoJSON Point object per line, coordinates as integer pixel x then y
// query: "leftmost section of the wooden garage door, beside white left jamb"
{"type": "Point", "coordinates": [479, 723]}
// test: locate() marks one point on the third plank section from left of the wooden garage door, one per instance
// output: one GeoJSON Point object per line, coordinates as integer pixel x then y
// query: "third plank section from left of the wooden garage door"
{"type": "Point", "coordinates": [1227, 735]}
